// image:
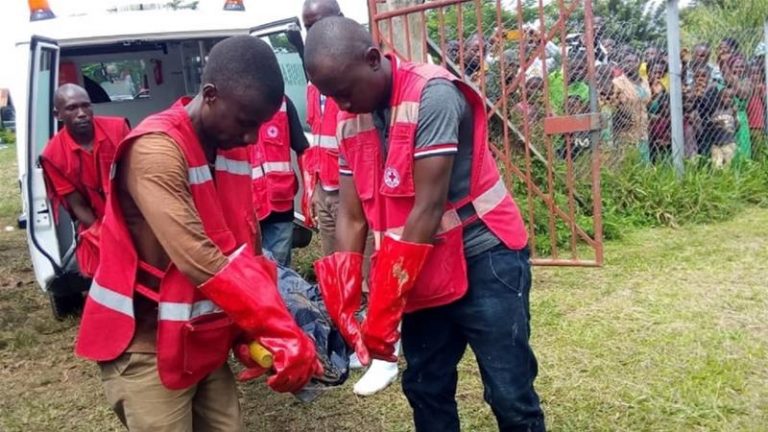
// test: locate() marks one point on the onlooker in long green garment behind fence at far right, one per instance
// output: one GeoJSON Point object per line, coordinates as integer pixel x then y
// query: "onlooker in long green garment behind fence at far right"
{"type": "Point", "coordinates": [736, 80]}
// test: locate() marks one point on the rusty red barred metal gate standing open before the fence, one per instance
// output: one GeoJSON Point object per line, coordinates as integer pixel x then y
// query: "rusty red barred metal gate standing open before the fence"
{"type": "Point", "coordinates": [535, 63]}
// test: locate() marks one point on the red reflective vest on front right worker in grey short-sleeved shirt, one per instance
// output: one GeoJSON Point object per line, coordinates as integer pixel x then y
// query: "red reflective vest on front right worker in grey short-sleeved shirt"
{"type": "Point", "coordinates": [385, 184]}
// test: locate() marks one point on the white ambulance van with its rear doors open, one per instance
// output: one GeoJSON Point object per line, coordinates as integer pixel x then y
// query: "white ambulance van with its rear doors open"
{"type": "Point", "coordinates": [132, 64]}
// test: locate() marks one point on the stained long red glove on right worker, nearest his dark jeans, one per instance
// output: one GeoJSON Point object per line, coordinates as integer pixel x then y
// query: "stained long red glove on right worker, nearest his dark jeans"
{"type": "Point", "coordinates": [398, 264]}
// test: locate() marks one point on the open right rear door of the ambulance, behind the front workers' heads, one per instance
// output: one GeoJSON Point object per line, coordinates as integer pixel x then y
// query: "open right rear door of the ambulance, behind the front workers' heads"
{"type": "Point", "coordinates": [286, 40]}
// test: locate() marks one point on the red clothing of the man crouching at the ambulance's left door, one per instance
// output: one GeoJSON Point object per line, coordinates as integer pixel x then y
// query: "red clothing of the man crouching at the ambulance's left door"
{"type": "Point", "coordinates": [64, 156]}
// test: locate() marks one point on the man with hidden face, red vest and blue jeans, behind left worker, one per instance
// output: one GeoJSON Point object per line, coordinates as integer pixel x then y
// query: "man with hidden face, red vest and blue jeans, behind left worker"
{"type": "Point", "coordinates": [274, 182]}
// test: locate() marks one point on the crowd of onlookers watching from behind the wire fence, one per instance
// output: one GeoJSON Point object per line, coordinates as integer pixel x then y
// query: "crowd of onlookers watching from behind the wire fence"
{"type": "Point", "coordinates": [724, 90]}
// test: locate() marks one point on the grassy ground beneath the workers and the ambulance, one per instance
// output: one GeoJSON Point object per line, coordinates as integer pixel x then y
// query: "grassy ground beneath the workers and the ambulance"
{"type": "Point", "coordinates": [671, 335]}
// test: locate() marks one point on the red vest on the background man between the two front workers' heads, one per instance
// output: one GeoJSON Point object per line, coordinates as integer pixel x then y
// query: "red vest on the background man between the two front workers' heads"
{"type": "Point", "coordinates": [321, 160]}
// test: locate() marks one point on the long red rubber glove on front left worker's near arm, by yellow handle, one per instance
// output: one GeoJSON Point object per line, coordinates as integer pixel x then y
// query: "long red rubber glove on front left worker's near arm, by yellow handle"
{"type": "Point", "coordinates": [246, 289]}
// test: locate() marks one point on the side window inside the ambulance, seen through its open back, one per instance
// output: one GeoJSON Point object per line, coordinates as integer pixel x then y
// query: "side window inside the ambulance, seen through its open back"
{"type": "Point", "coordinates": [120, 80]}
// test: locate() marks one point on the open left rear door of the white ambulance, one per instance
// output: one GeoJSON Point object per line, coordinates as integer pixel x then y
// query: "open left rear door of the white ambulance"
{"type": "Point", "coordinates": [51, 245]}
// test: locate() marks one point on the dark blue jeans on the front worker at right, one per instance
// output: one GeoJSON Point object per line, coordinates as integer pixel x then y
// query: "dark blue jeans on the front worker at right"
{"type": "Point", "coordinates": [494, 319]}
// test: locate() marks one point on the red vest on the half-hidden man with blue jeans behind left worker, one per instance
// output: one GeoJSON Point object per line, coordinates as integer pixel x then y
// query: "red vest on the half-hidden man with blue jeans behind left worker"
{"type": "Point", "coordinates": [274, 182]}
